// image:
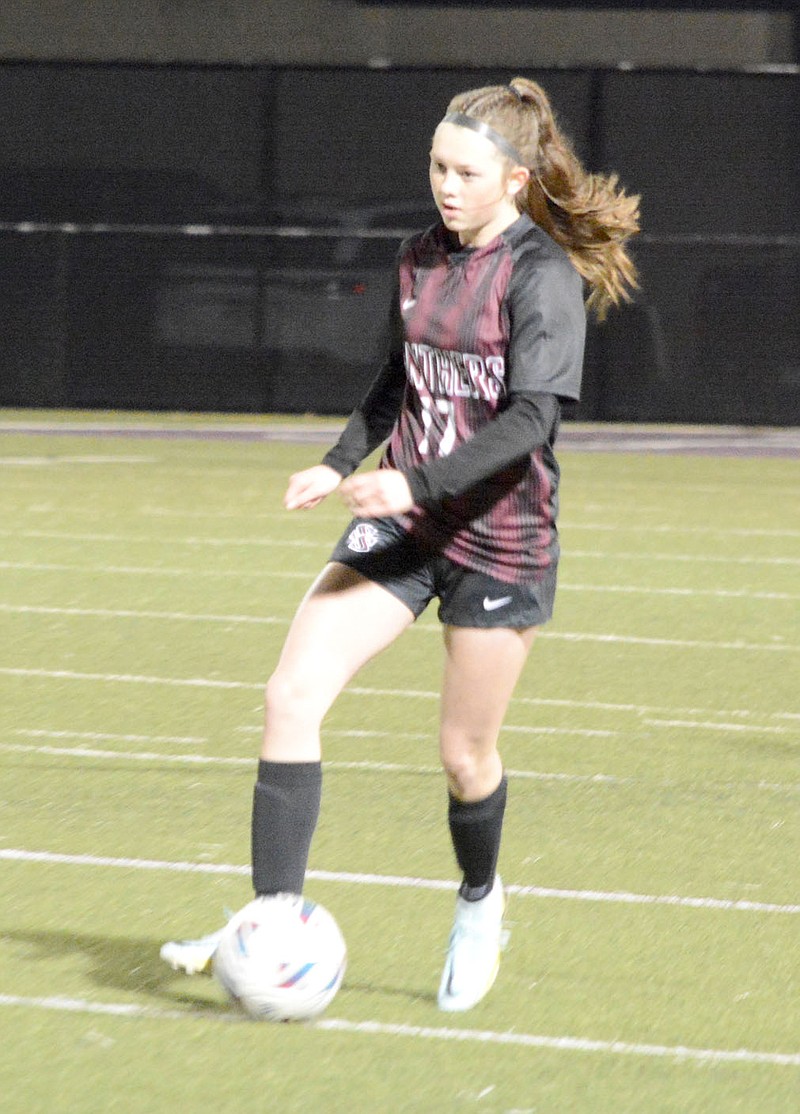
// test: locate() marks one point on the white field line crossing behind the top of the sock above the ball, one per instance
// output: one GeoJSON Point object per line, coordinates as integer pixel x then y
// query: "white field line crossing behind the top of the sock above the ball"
{"type": "Point", "coordinates": [365, 766]}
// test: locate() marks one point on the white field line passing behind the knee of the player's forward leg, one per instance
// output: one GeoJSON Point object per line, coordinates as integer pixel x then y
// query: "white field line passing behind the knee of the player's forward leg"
{"type": "Point", "coordinates": [405, 693]}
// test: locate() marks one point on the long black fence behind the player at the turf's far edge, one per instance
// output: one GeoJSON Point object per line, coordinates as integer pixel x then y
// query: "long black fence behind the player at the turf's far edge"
{"type": "Point", "coordinates": [211, 239]}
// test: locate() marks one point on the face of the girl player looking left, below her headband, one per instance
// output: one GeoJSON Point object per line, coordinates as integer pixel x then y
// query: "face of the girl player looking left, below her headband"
{"type": "Point", "coordinates": [473, 188]}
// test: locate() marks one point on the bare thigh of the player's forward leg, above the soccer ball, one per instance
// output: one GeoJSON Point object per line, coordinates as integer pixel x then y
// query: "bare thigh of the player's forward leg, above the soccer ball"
{"type": "Point", "coordinates": [344, 621]}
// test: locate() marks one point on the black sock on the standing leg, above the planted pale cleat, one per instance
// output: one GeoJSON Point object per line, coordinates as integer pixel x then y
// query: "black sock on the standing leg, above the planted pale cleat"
{"type": "Point", "coordinates": [476, 828]}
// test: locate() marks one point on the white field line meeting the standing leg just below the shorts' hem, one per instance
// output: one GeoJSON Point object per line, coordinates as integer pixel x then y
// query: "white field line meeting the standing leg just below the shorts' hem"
{"type": "Point", "coordinates": [779, 648]}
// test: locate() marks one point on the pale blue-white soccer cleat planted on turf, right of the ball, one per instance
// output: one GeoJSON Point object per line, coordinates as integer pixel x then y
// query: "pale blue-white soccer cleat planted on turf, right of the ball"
{"type": "Point", "coordinates": [474, 951]}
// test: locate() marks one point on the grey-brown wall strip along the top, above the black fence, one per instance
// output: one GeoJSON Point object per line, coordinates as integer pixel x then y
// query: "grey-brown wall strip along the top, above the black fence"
{"type": "Point", "coordinates": [343, 33]}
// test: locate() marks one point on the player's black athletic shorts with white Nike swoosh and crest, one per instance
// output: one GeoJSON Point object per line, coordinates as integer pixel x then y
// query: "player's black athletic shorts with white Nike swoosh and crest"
{"type": "Point", "coordinates": [383, 552]}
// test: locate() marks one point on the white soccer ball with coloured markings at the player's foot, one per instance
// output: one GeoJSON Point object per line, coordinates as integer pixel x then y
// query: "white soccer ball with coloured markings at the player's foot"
{"type": "Point", "coordinates": [281, 959]}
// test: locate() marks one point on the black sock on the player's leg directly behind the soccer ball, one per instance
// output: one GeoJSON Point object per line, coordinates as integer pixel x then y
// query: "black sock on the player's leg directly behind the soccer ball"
{"type": "Point", "coordinates": [286, 809]}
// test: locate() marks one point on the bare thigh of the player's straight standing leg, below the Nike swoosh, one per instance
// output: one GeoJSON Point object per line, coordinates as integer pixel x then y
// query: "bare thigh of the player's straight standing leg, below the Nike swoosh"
{"type": "Point", "coordinates": [482, 670]}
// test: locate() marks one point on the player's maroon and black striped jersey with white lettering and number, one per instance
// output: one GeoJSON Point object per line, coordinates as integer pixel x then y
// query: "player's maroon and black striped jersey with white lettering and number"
{"type": "Point", "coordinates": [476, 334]}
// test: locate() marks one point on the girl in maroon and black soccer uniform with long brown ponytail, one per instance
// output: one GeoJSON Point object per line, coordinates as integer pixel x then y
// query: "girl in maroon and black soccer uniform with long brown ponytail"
{"type": "Point", "coordinates": [487, 338]}
